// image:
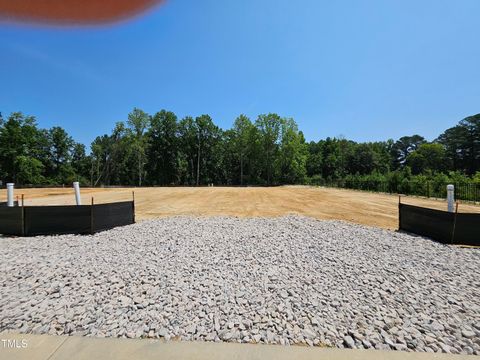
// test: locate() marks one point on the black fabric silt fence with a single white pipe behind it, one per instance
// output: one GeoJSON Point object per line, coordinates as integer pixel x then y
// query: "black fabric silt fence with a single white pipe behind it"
{"type": "Point", "coordinates": [442, 226]}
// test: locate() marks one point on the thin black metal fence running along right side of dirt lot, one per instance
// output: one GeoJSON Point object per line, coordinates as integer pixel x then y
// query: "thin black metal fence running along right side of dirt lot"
{"type": "Point", "coordinates": [430, 189]}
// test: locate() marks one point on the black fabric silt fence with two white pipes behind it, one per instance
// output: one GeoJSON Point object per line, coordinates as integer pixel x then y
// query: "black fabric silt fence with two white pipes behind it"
{"type": "Point", "coordinates": [70, 219]}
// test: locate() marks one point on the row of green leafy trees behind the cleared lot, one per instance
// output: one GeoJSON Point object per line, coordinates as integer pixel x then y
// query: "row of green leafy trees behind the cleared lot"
{"type": "Point", "coordinates": [162, 150]}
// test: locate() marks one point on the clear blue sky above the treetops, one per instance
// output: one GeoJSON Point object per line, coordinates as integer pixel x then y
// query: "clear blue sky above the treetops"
{"type": "Point", "coordinates": [363, 69]}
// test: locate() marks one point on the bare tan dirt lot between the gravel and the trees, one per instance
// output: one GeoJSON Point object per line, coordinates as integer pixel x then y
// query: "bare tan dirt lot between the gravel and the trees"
{"type": "Point", "coordinates": [322, 203]}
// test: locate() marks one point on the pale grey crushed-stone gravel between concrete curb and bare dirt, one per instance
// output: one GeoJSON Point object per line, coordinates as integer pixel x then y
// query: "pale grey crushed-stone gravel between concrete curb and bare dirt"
{"type": "Point", "coordinates": [288, 280]}
